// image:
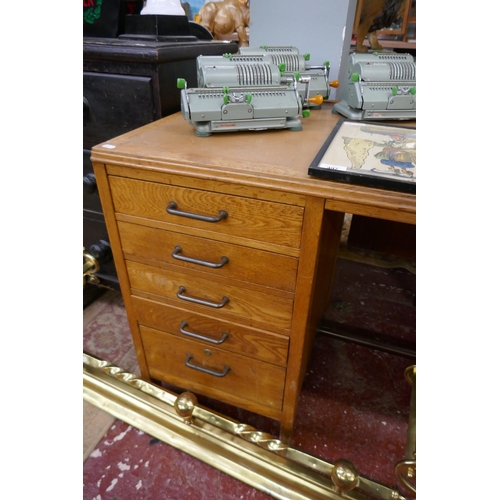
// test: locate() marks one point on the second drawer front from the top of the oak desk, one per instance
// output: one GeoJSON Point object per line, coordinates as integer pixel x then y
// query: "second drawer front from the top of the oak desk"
{"type": "Point", "coordinates": [221, 259]}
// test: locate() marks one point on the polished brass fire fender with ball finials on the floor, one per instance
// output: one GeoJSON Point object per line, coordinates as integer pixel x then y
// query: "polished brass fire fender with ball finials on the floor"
{"type": "Point", "coordinates": [253, 457]}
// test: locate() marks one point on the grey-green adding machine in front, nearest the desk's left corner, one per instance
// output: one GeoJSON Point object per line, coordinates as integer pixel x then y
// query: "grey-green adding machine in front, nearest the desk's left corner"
{"type": "Point", "coordinates": [242, 97]}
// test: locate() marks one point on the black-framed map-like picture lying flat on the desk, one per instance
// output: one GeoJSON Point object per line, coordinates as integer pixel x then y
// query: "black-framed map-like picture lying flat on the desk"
{"type": "Point", "coordinates": [369, 154]}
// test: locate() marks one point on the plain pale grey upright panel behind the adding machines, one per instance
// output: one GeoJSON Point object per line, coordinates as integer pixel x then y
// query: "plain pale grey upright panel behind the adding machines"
{"type": "Point", "coordinates": [321, 28]}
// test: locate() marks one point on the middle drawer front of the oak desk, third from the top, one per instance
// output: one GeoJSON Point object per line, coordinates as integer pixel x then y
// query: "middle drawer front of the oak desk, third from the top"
{"type": "Point", "coordinates": [223, 300]}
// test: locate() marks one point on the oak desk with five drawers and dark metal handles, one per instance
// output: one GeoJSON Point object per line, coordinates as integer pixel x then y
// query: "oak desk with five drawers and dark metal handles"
{"type": "Point", "coordinates": [225, 250]}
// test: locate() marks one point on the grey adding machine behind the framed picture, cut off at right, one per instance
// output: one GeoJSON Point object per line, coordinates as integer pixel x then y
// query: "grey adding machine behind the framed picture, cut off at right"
{"type": "Point", "coordinates": [379, 86]}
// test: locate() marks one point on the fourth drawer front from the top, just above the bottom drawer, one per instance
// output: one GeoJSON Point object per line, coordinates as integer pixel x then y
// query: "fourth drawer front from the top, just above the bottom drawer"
{"type": "Point", "coordinates": [210, 332]}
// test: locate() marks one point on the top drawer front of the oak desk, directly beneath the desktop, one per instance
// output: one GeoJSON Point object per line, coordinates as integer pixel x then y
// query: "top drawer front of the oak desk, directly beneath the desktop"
{"type": "Point", "coordinates": [243, 217]}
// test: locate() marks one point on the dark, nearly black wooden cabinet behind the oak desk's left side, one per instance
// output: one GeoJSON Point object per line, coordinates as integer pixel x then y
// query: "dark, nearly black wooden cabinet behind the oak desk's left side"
{"type": "Point", "coordinates": [128, 83]}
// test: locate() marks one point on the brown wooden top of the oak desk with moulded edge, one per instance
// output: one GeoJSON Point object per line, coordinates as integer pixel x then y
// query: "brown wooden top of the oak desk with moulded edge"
{"type": "Point", "coordinates": [273, 159]}
